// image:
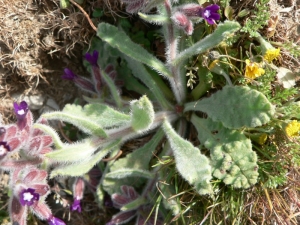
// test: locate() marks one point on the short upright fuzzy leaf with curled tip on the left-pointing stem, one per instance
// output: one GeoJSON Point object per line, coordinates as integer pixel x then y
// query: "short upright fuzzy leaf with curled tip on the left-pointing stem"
{"type": "Point", "coordinates": [142, 114]}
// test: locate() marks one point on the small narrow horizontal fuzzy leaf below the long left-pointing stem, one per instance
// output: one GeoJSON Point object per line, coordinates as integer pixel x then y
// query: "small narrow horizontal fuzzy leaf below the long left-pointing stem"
{"type": "Point", "coordinates": [129, 172]}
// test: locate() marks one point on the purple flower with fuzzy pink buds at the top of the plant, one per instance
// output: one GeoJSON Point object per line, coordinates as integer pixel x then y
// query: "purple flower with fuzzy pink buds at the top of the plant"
{"type": "Point", "coordinates": [184, 15]}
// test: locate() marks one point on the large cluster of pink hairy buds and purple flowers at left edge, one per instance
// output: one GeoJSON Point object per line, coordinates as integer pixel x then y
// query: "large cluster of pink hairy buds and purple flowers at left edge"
{"type": "Point", "coordinates": [28, 183]}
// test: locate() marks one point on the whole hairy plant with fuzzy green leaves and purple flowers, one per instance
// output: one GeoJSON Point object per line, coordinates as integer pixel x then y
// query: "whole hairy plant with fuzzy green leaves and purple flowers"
{"type": "Point", "coordinates": [165, 111]}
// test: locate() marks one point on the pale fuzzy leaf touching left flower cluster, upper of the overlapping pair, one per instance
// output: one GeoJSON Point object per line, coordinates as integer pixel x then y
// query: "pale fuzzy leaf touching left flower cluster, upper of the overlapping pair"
{"type": "Point", "coordinates": [74, 152]}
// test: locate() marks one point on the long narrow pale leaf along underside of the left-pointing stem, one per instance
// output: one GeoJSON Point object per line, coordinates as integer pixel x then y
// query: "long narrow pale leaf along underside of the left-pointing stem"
{"type": "Point", "coordinates": [84, 166]}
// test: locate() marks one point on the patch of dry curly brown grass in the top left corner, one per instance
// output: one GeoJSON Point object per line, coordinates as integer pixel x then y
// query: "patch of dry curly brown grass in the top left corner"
{"type": "Point", "coordinates": [37, 40]}
